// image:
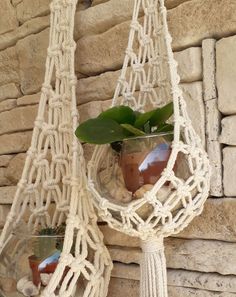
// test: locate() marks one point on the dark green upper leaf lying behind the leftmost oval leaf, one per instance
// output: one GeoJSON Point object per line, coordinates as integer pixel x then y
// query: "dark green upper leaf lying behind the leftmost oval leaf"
{"type": "Point", "coordinates": [120, 114]}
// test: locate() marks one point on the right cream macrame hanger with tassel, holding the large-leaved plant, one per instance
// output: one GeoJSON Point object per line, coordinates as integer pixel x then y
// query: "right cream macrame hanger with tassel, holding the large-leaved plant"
{"type": "Point", "coordinates": [149, 79]}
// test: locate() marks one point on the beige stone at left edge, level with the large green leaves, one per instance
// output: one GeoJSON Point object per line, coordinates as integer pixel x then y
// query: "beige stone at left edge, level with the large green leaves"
{"type": "Point", "coordinates": [18, 119]}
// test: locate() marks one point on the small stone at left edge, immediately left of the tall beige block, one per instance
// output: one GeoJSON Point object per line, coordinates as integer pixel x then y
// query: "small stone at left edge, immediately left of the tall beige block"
{"type": "Point", "coordinates": [9, 66]}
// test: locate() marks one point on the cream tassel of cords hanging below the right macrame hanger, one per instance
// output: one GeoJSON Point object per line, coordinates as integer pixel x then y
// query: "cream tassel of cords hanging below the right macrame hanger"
{"type": "Point", "coordinates": [153, 282]}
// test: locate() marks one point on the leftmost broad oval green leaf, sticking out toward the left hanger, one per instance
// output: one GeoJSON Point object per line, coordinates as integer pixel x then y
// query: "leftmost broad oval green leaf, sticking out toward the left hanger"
{"type": "Point", "coordinates": [100, 131]}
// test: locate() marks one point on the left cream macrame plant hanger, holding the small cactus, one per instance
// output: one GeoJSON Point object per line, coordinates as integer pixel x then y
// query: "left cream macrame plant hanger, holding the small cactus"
{"type": "Point", "coordinates": [55, 172]}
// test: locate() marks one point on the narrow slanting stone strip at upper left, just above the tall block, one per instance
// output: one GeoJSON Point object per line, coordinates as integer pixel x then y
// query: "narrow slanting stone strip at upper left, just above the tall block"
{"type": "Point", "coordinates": [30, 27]}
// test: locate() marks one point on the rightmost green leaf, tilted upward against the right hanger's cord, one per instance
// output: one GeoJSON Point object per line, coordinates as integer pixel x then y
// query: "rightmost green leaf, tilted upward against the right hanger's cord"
{"type": "Point", "coordinates": [161, 115]}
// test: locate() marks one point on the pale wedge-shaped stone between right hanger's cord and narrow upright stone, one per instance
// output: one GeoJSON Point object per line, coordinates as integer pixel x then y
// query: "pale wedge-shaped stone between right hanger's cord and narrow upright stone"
{"type": "Point", "coordinates": [194, 99]}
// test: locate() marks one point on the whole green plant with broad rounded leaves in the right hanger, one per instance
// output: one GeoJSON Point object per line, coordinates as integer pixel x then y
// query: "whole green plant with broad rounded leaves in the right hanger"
{"type": "Point", "coordinates": [121, 122]}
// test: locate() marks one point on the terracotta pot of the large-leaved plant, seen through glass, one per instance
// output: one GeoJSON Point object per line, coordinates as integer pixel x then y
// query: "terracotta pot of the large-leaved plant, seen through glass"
{"type": "Point", "coordinates": [143, 159]}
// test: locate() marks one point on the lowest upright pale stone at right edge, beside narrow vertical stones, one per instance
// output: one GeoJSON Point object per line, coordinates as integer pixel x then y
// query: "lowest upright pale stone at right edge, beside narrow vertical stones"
{"type": "Point", "coordinates": [229, 160]}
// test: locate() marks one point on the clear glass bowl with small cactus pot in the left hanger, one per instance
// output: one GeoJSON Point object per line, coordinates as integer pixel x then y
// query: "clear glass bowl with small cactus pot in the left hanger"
{"type": "Point", "coordinates": [28, 262]}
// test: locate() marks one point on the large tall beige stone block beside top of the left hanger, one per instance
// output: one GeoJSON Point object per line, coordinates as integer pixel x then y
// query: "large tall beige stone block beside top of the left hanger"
{"type": "Point", "coordinates": [32, 54]}
